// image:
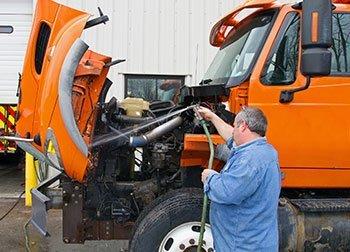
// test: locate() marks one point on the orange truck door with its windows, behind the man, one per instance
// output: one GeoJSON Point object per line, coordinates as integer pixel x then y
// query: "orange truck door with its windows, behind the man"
{"type": "Point", "coordinates": [311, 133]}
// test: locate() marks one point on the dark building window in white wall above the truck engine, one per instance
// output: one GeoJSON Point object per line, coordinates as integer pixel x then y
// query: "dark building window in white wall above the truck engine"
{"type": "Point", "coordinates": [154, 87]}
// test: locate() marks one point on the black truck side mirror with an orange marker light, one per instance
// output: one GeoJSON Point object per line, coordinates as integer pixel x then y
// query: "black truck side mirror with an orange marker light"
{"type": "Point", "coordinates": [316, 37]}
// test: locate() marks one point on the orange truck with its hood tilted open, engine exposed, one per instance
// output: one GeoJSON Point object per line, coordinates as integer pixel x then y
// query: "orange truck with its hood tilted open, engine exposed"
{"type": "Point", "coordinates": [130, 169]}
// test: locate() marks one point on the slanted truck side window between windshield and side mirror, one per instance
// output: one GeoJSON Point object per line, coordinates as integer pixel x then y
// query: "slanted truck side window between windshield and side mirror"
{"type": "Point", "coordinates": [281, 65]}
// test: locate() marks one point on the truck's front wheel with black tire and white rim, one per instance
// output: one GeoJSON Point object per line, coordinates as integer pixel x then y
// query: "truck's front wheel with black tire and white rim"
{"type": "Point", "coordinates": [172, 223]}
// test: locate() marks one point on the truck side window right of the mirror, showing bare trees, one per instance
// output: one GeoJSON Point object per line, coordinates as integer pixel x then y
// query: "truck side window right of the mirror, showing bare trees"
{"type": "Point", "coordinates": [341, 44]}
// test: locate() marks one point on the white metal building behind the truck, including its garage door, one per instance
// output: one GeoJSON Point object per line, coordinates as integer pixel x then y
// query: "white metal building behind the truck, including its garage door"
{"type": "Point", "coordinates": [160, 39]}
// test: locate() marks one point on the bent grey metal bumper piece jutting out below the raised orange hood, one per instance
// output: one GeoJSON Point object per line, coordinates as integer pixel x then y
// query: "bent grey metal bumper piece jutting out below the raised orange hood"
{"type": "Point", "coordinates": [41, 204]}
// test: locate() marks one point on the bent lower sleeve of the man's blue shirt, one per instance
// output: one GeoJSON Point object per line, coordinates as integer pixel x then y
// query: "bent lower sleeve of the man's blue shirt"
{"type": "Point", "coordinates": [232, 185]}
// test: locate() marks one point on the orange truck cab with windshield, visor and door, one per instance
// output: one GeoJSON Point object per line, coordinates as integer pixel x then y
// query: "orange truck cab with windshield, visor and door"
{"type": "Point", "coordinates": [260, 58]}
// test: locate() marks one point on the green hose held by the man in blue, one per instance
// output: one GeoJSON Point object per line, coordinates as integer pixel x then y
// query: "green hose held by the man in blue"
{"type": "Point", "coordinates": [210, 165]}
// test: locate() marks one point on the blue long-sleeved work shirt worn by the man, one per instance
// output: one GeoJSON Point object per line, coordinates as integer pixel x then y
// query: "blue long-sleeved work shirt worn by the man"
{"type": "Point", "coordinates": [244, 199]}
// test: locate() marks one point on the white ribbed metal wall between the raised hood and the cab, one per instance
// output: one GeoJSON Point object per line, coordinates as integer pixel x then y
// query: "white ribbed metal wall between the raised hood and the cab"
{"type": "Point", "coordinates": [155, 36]}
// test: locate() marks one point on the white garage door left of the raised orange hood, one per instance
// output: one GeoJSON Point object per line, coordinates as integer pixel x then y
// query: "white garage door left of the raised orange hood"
{"type": "Point", "coordinates": [15, 25]}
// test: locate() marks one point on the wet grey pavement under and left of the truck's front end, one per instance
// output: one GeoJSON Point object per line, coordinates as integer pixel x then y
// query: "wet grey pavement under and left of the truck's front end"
{"type": "Point", "coordinates": [11, 227]}
